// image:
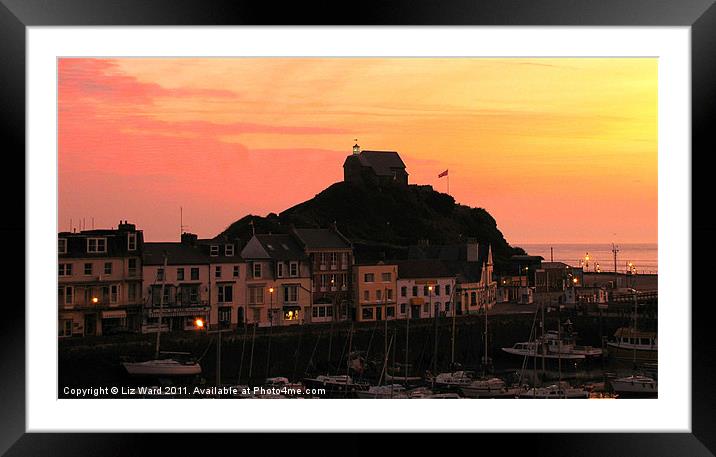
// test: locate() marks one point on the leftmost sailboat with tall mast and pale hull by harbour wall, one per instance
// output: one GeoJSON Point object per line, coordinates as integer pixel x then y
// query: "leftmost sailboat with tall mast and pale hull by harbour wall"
{"type": "Point", "coordinates": [163, 366]}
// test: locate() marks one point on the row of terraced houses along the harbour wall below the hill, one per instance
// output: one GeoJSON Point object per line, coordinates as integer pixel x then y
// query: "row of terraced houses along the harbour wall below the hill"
{"type": "Point", "coordinates": [112, 281]}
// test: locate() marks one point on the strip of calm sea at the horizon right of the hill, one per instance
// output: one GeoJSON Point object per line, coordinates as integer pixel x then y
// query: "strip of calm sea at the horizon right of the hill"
{"type": "Point", "coordinates": [643, 256]}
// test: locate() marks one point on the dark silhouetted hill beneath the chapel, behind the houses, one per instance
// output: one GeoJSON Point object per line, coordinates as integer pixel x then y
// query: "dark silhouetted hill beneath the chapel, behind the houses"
{"type": "Point", "coordinates": [383, 221]}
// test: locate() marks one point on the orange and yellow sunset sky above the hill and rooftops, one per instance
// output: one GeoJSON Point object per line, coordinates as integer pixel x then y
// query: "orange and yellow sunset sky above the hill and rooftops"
{"type": "Point", "coordinates": [557, 150]}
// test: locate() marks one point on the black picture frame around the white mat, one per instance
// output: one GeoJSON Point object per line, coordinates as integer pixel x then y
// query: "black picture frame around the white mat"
{"type": "Point", "coordinates": [700, 15]}
